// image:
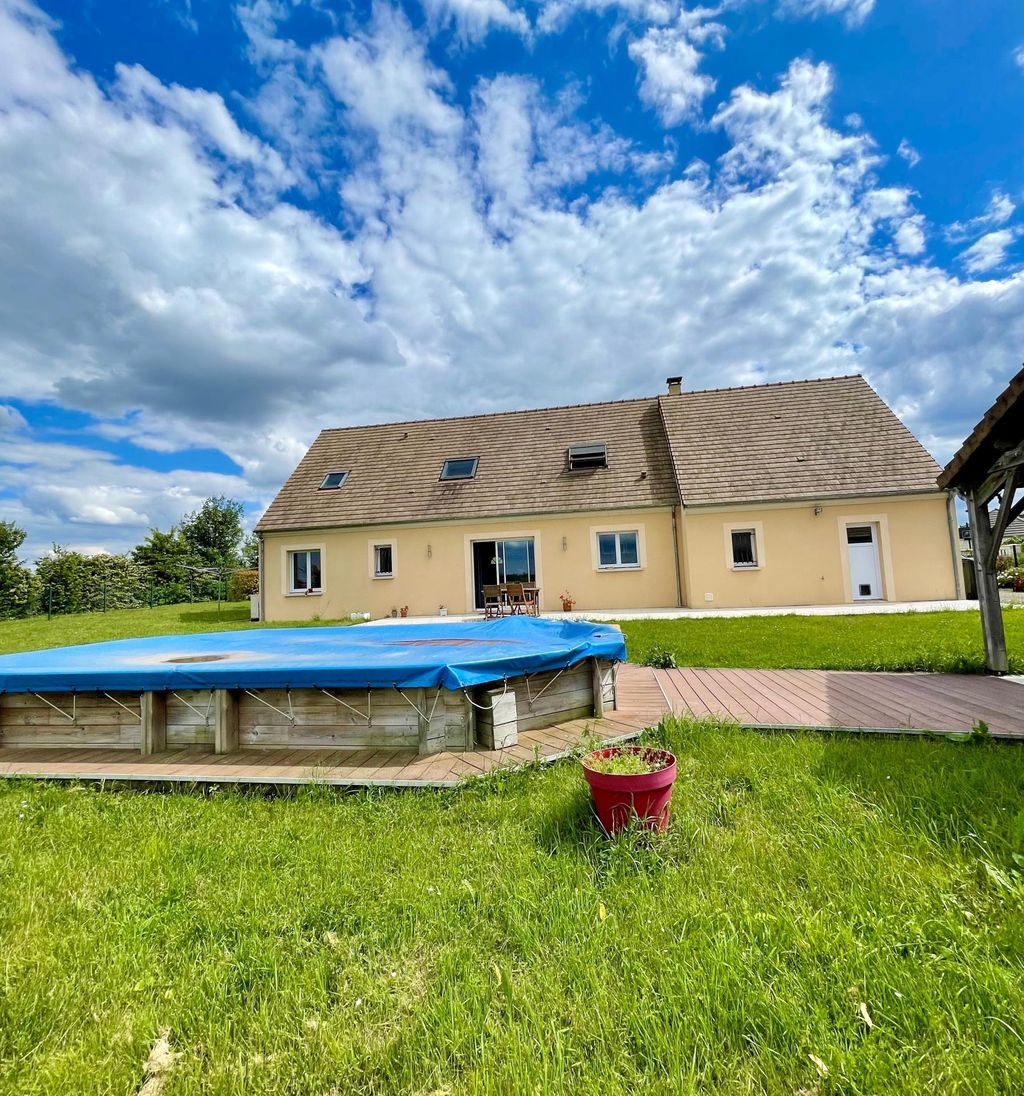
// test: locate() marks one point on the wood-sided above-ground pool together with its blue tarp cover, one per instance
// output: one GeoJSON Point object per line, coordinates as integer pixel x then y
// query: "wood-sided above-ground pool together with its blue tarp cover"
{"type": "Point", "coordinates": [434, 688]}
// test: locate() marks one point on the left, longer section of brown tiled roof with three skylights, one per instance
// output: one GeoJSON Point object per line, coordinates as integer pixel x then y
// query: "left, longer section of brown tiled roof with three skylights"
{"type": "Point", "coordinates": [394, 470]}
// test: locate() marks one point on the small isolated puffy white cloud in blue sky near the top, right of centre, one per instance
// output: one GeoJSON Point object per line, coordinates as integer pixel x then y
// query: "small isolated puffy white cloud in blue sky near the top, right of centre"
{"type": "Point", "coordinates": [670, 59]}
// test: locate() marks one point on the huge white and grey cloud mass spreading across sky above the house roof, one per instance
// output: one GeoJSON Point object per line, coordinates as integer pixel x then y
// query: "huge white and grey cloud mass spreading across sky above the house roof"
{"type": "Point", "coordinates": [199, 309]}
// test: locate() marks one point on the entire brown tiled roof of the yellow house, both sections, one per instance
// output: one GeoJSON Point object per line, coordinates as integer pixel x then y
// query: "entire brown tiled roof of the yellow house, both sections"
{"type": "Point", "coordinates": [797, 440]}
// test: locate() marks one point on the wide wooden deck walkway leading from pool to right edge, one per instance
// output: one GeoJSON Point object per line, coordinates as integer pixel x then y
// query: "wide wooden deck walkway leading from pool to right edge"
{"type": "Point", "coordinates": [861, 702]}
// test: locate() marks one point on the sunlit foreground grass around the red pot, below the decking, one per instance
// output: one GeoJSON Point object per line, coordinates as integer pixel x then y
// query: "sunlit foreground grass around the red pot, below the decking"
{"type": "Point", "coordinates": [826, 916]}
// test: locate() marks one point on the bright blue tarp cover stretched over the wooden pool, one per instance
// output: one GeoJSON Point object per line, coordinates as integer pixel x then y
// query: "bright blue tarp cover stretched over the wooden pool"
{"type": "Point", "coordinates": [416, 656]}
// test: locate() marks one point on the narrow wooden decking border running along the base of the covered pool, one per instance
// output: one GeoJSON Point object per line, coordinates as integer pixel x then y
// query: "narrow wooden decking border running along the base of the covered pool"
{"type": "Point", "coordinates": [641, 705]}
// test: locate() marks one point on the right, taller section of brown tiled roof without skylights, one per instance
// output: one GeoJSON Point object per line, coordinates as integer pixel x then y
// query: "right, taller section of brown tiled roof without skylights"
{"type": "Point", "coordinates": [795, 440]}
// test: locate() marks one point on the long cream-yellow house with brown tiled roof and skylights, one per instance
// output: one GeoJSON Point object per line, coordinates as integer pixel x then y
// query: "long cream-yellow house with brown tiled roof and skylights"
{"type": "Point", "coordinates": [795, 494]}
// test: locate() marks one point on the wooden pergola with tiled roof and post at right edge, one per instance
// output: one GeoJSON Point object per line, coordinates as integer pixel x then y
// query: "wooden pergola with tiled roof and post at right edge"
{"type": "Point", "coordinates": [988, 474]}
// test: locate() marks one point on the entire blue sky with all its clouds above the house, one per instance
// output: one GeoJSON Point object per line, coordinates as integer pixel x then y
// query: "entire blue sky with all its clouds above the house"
{"type": "Point", "coordinates": [227, 226]}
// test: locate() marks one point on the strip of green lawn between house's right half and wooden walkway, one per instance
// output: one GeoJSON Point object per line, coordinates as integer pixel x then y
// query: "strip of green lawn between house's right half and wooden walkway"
{"type": "Point", "coordinates": [940, 642]}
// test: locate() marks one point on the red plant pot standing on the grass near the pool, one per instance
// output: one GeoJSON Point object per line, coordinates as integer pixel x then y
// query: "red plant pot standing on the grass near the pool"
{"type": "Point", "coordinates": [631, 782]}
